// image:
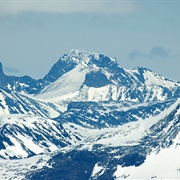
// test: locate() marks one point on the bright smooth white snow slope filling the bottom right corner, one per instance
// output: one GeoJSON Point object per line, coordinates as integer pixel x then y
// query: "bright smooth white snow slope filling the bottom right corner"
{"type": "Point", "coordinates": [162, 165]}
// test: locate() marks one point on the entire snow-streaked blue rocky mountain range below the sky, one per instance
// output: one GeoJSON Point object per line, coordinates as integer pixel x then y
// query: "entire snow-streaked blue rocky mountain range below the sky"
{"type": "Point", "coordinates": [89, 118]}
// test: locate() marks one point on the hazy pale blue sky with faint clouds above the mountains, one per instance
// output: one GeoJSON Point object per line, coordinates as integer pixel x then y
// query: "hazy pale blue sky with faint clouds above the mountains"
{"type": "Point", "coordinates": [34, 34]}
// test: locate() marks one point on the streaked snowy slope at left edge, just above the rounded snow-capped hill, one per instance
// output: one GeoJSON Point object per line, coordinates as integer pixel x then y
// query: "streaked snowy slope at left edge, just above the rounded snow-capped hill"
{"type": "Point", "coordinates": [16, 103]}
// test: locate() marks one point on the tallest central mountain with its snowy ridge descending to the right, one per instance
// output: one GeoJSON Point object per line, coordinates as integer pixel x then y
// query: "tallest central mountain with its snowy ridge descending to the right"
{"type": "Point", "coordinates": [87, 76]}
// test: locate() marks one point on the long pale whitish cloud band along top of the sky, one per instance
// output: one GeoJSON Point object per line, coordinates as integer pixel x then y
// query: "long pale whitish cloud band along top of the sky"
{"type": "Point", "coordinates": [13, 7]}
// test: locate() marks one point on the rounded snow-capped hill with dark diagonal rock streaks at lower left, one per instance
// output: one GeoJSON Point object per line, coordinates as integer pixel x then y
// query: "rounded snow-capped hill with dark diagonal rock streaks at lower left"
{"type": "Point", "coordinates": [23, 136]}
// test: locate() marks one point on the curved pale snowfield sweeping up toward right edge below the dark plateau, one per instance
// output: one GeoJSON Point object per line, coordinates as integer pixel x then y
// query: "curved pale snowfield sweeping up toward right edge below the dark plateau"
{"type": "Point", "coordinates": [128, 134]}
